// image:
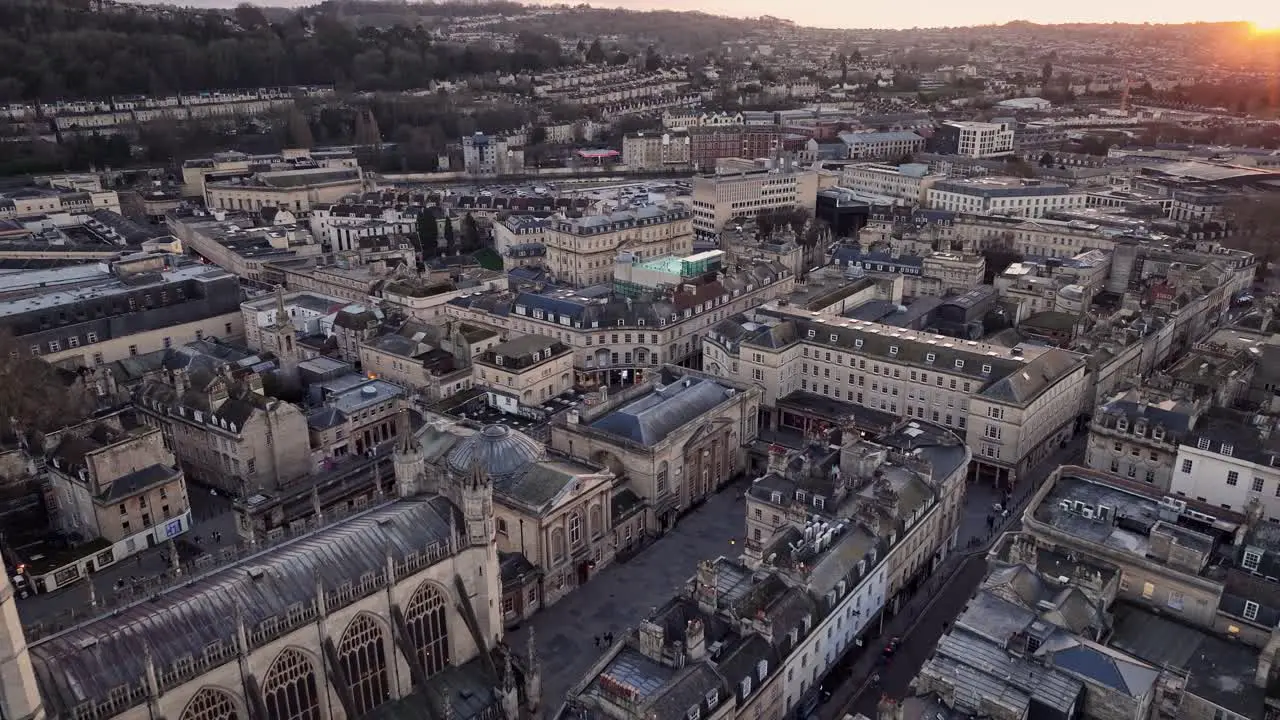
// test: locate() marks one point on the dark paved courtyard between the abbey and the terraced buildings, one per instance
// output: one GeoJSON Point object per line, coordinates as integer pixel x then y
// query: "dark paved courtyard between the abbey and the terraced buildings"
{"type": "Point", "coordinates": [627, 593]}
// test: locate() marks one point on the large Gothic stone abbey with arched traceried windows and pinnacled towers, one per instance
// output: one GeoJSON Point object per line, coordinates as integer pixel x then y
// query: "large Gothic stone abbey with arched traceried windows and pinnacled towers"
{"type": "Point", "coordinates": [390, 612]}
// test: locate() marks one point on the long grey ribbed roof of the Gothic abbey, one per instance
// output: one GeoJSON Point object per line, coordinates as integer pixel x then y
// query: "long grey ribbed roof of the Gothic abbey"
{"type": "Point", "coordinates": [92, 660]}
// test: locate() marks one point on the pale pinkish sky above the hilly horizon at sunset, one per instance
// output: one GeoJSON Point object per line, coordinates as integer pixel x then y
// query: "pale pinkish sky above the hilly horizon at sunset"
{"type": "Point", "coordinates": [935, 13]}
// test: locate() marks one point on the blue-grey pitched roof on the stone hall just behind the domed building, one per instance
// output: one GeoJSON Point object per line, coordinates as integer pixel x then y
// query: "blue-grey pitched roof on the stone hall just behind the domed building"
{"type": "Point", "coordinates": [652, 418]}
